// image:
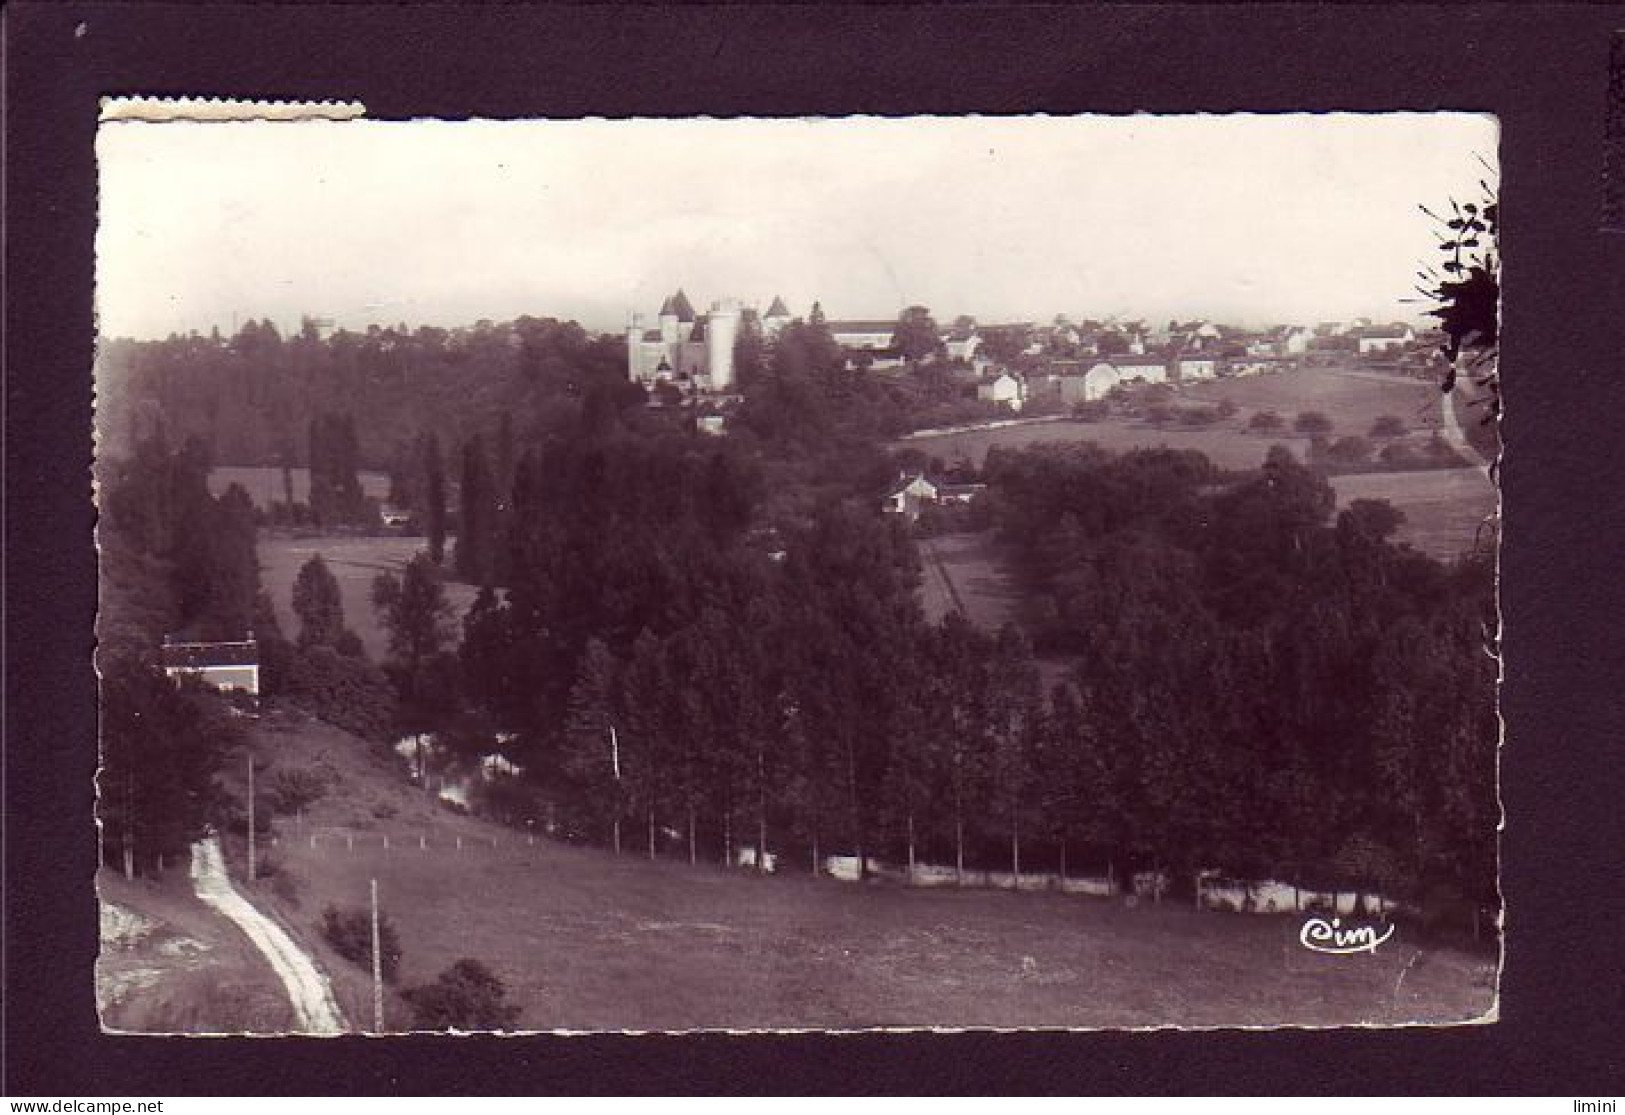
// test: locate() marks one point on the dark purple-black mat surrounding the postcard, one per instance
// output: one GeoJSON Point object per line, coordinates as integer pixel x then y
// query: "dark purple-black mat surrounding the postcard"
{"type": "Point", "coordinates": [1543, 71]}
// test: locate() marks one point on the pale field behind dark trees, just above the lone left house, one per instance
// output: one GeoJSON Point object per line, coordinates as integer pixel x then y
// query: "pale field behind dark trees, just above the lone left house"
{"type": "Point", "coordinates": [355, 562]}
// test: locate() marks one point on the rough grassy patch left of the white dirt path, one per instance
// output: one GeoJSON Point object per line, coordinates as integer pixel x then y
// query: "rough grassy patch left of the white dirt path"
{"type": "Point", "coordinates": [173, 966]}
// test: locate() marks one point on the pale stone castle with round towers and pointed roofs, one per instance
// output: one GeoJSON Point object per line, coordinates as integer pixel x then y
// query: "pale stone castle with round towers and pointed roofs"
{"type": "Point", "coordinates": [693, 347]}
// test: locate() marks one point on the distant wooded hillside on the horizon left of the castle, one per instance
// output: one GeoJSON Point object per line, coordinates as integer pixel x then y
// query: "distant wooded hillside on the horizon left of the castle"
{"type": "Point", "coordinates": [256, 397]}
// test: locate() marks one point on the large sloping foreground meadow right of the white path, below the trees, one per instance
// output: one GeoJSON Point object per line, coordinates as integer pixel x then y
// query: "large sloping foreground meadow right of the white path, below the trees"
{"type": "Point", "coordinates": [587, 940]}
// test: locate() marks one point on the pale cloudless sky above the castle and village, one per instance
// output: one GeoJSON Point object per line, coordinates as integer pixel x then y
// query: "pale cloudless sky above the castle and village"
{"type": "Point", "coordinates": [1247, 220]}
